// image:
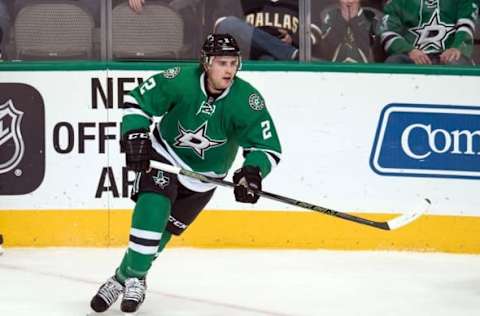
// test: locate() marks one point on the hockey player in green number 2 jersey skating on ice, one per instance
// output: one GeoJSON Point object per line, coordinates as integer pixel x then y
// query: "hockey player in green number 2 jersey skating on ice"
{"type": "Point", "coordinates": [208, 113]}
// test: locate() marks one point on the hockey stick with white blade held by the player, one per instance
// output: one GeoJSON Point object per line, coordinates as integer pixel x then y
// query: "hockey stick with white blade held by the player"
{"type": "Point", "coordinates": [392, 224]}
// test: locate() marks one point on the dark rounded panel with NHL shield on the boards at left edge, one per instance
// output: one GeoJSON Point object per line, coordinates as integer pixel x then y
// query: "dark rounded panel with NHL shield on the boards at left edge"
{"type": "Point", "coordinates": [22, 139]}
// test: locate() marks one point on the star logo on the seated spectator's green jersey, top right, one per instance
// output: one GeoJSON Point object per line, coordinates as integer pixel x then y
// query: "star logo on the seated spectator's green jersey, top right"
{"type": "Point", "coordinates": [431, 36]}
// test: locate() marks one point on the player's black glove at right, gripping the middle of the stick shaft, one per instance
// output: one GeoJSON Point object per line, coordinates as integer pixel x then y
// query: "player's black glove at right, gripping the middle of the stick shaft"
{"type": "Point", "coordinates": [245, 179]}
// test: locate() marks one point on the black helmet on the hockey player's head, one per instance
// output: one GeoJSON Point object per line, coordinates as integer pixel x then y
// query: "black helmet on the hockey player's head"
{"type": "Point", "coordinates": [219, 45]}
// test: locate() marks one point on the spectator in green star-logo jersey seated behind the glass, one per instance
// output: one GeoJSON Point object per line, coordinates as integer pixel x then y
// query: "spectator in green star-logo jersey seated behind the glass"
{"type": "Point", "coordinates": [428, 31]}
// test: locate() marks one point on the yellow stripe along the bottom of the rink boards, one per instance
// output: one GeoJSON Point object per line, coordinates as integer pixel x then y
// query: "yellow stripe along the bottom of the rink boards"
{"type": "Point", "coordinates": [243, 229]}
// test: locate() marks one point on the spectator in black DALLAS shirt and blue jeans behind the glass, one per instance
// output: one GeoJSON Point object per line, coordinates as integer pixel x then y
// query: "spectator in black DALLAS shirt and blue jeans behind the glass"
{"type": "Point", "coordinates": [266, 29]}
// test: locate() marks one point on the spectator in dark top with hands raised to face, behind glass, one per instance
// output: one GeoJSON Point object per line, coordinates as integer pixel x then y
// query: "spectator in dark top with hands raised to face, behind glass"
{"type": "Point", "coordinates": [348, 32]}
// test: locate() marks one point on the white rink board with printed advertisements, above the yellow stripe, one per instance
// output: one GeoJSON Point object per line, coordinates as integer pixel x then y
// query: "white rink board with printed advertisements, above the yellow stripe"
{"type": "Point", "coordinates": [372, 143]}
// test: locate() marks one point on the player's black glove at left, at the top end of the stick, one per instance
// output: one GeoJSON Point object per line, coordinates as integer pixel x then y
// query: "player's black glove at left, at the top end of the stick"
{"type": "Point", "coordinates": [137, 147]}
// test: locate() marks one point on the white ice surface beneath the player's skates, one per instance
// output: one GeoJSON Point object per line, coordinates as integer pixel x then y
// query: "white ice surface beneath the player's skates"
{"type": "Point", "coordinates": [61, 282]}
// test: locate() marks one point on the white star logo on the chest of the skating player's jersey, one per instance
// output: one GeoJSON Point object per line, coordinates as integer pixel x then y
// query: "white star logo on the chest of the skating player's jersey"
{"type": "Point", "coordinates": [196, 140]}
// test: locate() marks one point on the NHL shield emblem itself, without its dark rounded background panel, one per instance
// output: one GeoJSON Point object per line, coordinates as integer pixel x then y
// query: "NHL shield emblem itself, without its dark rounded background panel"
{"type": "Point", "coordinates": [11, 142]}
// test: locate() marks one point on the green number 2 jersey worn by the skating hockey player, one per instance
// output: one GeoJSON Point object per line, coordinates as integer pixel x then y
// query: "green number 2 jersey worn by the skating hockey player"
{"type": "Point", "coordinates": [198, 132]}
